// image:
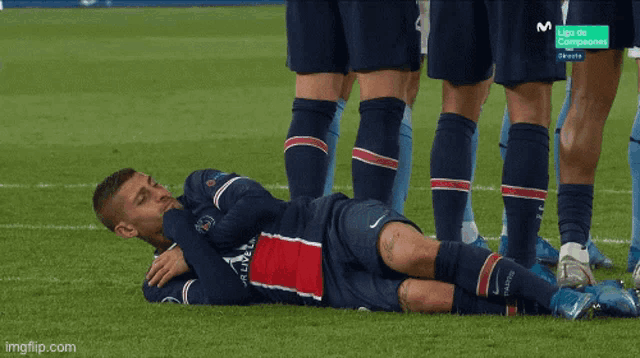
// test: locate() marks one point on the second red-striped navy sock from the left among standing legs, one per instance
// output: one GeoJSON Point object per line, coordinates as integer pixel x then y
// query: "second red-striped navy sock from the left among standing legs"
{"type": "Point", "coordinates": [375, 154]}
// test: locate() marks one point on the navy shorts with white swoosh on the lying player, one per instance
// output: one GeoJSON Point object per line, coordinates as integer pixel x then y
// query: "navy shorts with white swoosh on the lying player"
{"type": "Point", "coordinates": [354, 274]}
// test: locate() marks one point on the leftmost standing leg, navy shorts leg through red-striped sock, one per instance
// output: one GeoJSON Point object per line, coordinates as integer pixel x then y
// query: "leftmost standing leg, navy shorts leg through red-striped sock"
{"type": "Point", "coordinates": [317, 53]}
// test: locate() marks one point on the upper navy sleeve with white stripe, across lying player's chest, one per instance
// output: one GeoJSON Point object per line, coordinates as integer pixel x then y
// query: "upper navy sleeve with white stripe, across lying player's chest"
{"type": "Point", "coordinates": [245, 205]}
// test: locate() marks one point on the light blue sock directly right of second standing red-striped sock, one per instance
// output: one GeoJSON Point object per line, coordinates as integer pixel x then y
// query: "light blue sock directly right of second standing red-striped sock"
{"type": "Point", "coordinates": [403, 174]}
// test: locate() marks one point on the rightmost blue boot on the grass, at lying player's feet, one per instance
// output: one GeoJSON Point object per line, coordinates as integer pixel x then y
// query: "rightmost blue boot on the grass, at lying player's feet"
{"type": "Point", "coordinates": [613, 299]}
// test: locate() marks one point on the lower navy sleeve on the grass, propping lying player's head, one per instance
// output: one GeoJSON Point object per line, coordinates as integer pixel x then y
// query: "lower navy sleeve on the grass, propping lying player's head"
{"type": "Point", "coordinates": [216, 283]}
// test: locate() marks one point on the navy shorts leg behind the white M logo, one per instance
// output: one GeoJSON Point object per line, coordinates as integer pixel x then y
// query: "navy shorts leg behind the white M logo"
{"type": "Point", "coordinates": [522, 50]}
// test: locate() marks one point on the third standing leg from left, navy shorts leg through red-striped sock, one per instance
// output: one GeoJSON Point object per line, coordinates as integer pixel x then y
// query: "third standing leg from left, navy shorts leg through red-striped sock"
{"type": "Point", "coordinates": [463, 93]}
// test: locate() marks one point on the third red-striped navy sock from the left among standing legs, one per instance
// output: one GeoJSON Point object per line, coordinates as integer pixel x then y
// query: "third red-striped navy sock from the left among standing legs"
{"type": "Point", "coordinates": [451, 174]}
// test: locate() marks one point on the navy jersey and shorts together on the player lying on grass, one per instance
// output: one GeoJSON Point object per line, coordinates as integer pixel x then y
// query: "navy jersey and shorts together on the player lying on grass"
{"type": "Point", "coordinates": [245, 246]}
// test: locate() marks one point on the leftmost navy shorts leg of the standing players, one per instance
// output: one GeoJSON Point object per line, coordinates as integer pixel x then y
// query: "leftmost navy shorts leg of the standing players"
{"type": "Point", "coordinates": [315, 37]}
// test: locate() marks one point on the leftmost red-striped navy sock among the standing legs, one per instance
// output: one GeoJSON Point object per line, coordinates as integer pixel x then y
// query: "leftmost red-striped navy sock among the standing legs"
{"type": "Point", "coordinates": [305, 150]}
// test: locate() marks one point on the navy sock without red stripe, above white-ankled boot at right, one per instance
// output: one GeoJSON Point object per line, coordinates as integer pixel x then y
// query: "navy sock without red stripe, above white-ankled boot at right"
{"type": "Point", "coordinates": [575, 202]}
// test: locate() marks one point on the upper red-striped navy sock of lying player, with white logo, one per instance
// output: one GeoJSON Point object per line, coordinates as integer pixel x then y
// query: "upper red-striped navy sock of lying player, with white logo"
{"type": "Point", "coordinates": [486, 274]}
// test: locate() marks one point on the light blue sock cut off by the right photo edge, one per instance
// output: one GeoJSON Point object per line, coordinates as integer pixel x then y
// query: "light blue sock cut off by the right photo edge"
{"type": "Point", "coordinates": [634, 164]}
